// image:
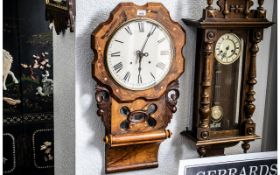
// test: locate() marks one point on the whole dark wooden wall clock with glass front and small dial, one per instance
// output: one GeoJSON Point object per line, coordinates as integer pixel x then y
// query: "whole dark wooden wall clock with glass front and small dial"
{"type": "Point", "coordinates": [227, 45]}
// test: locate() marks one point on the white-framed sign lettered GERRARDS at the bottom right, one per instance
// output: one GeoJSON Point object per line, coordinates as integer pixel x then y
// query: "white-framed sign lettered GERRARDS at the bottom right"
{"type": "Point", "coordinates": [263, 163]}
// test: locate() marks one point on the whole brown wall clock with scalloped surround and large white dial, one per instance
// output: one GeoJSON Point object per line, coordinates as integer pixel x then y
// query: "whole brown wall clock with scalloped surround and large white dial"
{"type": "Point", "coordinates": [138, 60]}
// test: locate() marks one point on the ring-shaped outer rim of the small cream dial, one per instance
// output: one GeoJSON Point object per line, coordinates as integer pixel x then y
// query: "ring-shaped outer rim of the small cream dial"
{"type": "Point", "coordinates": [236, 57]}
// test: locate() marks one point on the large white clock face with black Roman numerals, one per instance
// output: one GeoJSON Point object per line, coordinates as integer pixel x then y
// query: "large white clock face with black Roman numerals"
{"type": "Point", "coordinates": [139, 54]}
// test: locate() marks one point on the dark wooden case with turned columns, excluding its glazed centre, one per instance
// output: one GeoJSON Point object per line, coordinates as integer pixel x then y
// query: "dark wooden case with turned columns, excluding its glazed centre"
{"type": "Point", "coordinates": [233, 16]}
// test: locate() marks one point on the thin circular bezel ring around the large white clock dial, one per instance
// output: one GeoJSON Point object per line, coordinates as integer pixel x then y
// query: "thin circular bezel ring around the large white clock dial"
{"type": "Point", "coordinates": [159, 25]}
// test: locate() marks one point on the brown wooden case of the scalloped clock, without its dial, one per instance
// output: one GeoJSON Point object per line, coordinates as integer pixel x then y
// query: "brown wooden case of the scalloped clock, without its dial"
{"type": "Point", "coordinates": [135, 147]}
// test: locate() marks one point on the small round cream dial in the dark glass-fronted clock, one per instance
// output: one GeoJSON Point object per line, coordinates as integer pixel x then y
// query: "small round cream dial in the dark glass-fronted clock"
{"type": "Point", "coordinates": [228, 48]}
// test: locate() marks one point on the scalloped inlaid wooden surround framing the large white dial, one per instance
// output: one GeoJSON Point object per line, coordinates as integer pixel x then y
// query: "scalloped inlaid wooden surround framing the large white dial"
{"type": "Point", "coordinates": [125, 12]}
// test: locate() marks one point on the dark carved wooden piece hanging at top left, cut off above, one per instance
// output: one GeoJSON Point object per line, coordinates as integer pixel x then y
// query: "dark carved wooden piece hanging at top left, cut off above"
{"type": "Point", "coordinates": [63, 16]}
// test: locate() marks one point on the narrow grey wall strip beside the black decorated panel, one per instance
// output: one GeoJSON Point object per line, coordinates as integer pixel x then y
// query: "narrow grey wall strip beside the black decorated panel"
{"type": "Point", "coordinates": [64, 102]}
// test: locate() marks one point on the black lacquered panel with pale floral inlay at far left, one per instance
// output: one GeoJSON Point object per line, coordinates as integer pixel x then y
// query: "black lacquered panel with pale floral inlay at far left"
{"type": "Point", "coordinates": [28, 92]}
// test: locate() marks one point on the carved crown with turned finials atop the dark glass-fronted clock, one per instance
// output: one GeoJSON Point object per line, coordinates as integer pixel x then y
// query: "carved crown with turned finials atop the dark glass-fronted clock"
{"type": "Point", "coordinates": [234, 12]}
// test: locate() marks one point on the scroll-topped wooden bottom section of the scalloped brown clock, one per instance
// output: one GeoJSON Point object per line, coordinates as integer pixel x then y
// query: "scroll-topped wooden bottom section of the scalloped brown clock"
{"type": "Point", "coordinates": [133, 151]}
